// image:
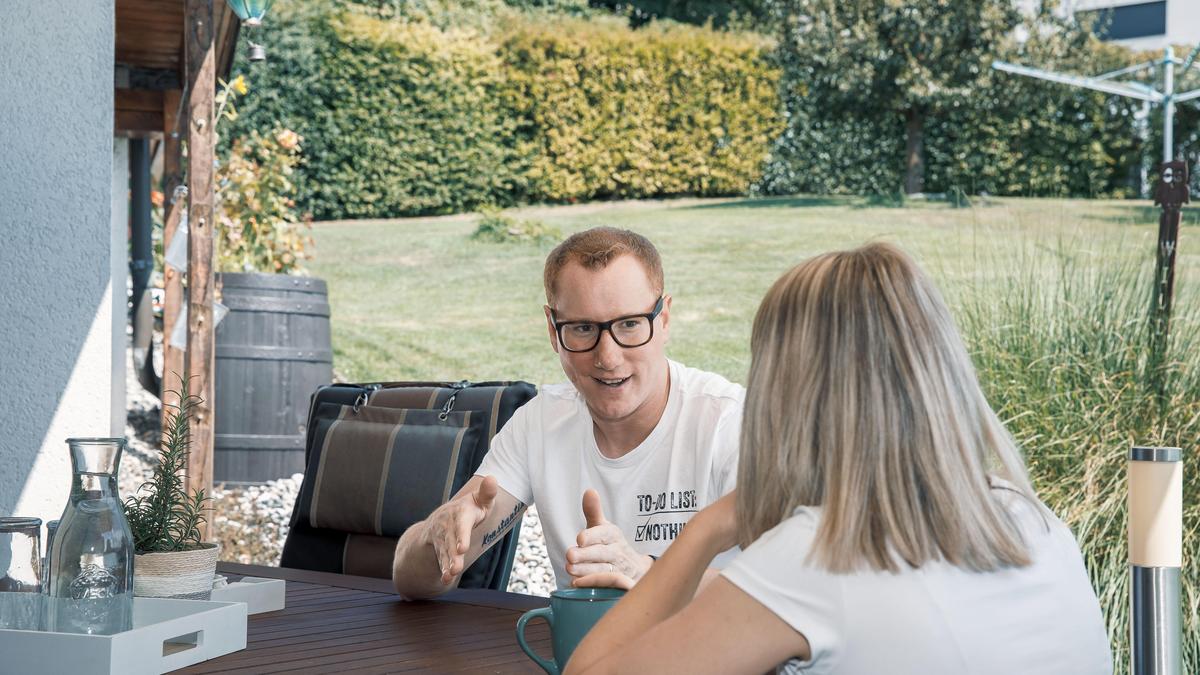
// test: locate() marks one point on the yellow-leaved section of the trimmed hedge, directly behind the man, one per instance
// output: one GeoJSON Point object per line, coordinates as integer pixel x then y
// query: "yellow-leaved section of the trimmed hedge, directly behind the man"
{"type": "Point", "coordinates": [610, 112]}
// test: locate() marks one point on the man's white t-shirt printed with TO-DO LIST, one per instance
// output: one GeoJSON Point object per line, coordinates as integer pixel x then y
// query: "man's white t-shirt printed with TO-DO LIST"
{"type": "Point", "coordinates": [548, 455]}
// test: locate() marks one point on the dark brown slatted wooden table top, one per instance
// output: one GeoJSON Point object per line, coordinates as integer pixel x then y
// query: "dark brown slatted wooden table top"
{"type": "Point", "coordinates": [340, 624]}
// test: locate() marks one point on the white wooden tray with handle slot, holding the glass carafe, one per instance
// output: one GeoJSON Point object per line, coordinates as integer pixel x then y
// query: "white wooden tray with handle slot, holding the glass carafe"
{"type": "Point", "coordinates": [167, 635]}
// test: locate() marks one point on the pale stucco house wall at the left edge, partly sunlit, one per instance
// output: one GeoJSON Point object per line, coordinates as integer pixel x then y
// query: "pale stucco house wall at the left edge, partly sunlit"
{"type": "Point", "coordinates": [58, 247]}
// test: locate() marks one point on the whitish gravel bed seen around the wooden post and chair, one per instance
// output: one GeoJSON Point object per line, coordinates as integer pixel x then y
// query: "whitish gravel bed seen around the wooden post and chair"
{"type": "Point", "coordinates": [253, 522]}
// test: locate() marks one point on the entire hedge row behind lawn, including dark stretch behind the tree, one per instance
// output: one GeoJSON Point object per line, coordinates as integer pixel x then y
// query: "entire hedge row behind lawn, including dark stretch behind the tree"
{"type": "Point", "coordinates": [405, 116]}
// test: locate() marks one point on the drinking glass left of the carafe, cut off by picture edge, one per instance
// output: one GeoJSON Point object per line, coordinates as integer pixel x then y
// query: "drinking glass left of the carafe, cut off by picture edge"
{"type": "Point", "coordinates": [21, 576]}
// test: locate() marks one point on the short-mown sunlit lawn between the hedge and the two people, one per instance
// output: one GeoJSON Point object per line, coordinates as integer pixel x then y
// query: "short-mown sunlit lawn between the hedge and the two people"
{"type": "Point", "coordinates": [418, 300]}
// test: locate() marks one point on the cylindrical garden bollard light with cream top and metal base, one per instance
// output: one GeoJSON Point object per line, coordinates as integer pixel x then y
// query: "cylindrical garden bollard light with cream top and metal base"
{"type": "Point", "coordinates": [1156, 560]}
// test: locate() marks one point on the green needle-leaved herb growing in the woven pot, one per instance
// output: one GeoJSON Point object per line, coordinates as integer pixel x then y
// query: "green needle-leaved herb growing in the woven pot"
{"type": "Point", "coordinates": [163, 516]}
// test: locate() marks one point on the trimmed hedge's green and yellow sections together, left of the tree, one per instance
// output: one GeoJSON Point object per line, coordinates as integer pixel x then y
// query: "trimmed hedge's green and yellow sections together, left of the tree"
{"type": "Point", "coordinates": [404, 118]}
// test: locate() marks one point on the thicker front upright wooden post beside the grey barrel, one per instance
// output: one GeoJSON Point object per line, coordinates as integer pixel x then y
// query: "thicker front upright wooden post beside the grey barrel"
{"type": "Point", "coordinates": [201, 59]}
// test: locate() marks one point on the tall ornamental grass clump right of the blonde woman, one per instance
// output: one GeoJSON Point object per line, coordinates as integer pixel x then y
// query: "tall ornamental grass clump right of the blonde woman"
{"type": "Point", "coordinates": [1064, 354]}
